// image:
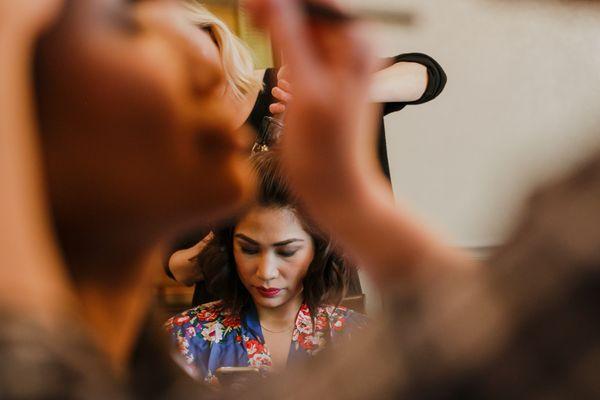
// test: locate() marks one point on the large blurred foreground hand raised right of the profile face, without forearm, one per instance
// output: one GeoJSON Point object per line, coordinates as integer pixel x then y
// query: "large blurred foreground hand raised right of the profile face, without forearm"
{"type": "Point", "coordinates": [329, 126]}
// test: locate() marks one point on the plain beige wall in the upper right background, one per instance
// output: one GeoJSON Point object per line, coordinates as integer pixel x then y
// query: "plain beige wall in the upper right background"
{"type": "Point", "coordinates": [522, 103]}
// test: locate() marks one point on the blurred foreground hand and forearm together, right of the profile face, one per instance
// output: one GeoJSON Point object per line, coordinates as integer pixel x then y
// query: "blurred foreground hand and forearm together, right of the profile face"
{"type": "Point", "coordinates": [384, 237]}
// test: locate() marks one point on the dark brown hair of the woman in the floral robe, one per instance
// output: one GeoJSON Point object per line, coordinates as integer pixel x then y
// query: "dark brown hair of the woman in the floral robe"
{"type": "Point", "coordinates": [328, 275]}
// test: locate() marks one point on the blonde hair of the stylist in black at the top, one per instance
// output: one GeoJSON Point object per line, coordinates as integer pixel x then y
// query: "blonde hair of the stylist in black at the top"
{"type": "Point", "coordinates": [235, 55]}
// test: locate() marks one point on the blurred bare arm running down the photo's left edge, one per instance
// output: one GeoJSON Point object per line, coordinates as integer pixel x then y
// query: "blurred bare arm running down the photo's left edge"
{"type": "Point", "coordinates": [33, 276]}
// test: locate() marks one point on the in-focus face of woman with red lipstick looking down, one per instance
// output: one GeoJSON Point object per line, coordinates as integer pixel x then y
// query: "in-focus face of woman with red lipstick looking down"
{"type": "Point", "coordinates": [272, 253]}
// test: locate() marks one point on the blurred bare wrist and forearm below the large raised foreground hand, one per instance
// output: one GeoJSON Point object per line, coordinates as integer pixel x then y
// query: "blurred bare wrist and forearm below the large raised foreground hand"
{"type": "Point", "coordinates": [380, 233]}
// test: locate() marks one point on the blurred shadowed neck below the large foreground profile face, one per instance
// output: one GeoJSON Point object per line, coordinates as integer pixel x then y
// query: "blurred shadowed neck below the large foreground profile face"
{"type": "Point", "coordinates": [115, 310]}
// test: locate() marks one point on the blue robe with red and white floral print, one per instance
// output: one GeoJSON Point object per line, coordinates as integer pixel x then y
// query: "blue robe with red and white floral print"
{"type": "Point", "coordinates": [210, 336]}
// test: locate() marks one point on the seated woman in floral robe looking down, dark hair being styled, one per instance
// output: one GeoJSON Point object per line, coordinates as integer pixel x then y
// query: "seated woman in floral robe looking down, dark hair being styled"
{"type": "Point", "coordinates": [280, 285]}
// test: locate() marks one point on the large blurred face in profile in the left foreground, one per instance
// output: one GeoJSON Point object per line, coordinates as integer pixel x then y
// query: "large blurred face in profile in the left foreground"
{"type": "Point", "coordinates": [130, 108]}
